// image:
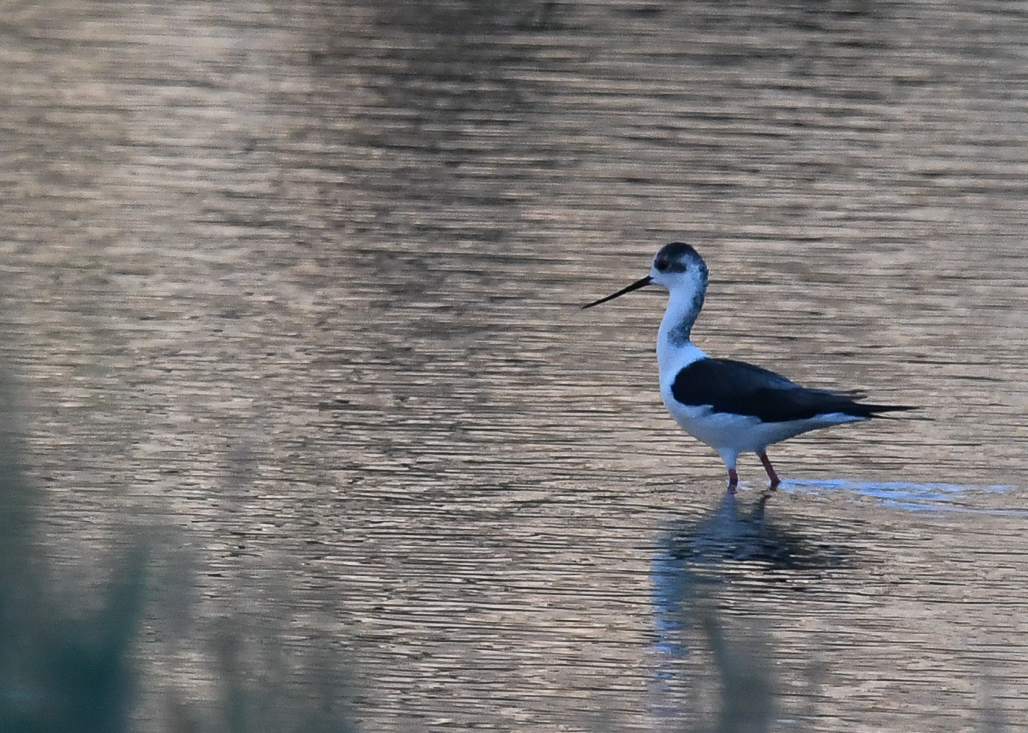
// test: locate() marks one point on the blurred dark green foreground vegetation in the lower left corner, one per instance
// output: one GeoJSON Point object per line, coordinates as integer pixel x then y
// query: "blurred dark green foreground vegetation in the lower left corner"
{"type": "Point", "coordinates": [69, 658]}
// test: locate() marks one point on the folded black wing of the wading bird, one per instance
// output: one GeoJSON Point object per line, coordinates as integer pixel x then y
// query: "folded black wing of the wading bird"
{"type": "Point", "coordinates": [743, 389]}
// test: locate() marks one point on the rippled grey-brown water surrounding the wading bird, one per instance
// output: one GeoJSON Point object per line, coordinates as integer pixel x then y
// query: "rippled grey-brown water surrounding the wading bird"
{"type": "Point", "coordinates": [301, 284]}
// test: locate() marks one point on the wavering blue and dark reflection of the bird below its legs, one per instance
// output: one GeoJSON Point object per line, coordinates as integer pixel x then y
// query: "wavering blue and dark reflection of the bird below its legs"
{"type": "Point", "coordinates": [693, 559]}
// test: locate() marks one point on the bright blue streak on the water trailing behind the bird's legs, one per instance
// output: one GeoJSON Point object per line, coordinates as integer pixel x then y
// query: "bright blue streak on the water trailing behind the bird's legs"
{"type": "Point", "coordinates": [907, 495]}
